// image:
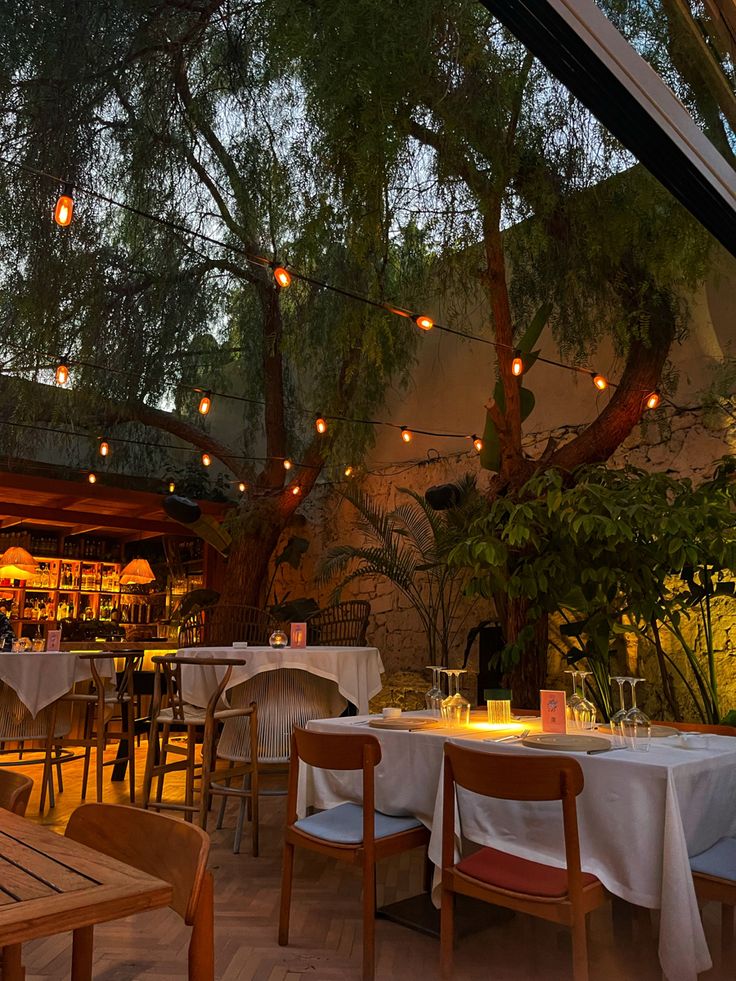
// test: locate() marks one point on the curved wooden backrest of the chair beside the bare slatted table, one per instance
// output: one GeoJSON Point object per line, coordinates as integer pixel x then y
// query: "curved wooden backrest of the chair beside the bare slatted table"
{"type": "Point", "coordinates": [174, 851]}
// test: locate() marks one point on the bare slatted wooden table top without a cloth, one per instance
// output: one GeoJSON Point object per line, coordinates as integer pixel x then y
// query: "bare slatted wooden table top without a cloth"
{"type": "Point", "coordinates": [50, 884]}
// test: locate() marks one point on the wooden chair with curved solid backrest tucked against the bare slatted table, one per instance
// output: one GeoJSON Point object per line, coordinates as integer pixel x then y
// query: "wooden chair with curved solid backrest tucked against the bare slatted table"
{"type": "Point", "coordinates": [166, 848]}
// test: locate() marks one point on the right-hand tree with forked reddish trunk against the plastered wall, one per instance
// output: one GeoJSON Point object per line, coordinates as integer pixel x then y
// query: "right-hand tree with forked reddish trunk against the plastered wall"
{"type": "Point", "coordinates": [508, 171]}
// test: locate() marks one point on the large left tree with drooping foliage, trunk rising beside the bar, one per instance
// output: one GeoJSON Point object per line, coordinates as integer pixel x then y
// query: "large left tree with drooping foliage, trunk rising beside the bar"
{"type": "Point", "coordinates": [176, 110]}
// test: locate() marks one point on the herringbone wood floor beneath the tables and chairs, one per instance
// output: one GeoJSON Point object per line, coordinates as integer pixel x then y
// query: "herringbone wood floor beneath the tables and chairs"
{"type": "Point", "coordinates": [325, 925]}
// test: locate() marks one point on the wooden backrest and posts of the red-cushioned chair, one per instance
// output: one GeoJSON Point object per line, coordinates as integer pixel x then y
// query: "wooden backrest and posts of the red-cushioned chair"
{"type": "Point", "coordinates": [513, 776]}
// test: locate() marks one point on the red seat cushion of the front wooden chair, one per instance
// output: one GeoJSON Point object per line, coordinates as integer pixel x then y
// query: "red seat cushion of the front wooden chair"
{"type": "Point", "coordinates": [520, 875]}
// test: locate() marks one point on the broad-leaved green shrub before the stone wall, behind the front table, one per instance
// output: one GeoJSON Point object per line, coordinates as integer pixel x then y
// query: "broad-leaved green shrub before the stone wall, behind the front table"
{"type": "Point", "coordinates": [614, 551]}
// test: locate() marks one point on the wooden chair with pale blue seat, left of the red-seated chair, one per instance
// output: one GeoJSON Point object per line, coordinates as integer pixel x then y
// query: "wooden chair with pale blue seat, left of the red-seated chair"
{"type": "Point", "coordinates": [348, 832]}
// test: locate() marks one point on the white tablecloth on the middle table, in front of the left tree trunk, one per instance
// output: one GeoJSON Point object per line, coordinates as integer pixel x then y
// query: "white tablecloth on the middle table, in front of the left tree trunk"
{"type": "Point", "coordinates": [355, 670]}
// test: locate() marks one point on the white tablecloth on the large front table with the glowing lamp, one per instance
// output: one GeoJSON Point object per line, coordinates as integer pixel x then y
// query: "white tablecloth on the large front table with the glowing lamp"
{"type": "Point", "coordinates": [640, 815]}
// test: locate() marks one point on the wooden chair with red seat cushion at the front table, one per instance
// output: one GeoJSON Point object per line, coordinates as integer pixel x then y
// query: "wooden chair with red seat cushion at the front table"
{"type": "Point", "coordinates": [560, 895]}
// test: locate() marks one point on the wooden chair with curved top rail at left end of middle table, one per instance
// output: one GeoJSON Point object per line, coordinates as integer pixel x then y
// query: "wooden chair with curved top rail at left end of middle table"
{"type": "Point", "coordinates": [170, 713]}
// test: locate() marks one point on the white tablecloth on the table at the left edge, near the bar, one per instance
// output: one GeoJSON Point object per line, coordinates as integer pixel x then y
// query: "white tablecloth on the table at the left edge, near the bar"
{"type": "Point", "coordinates": [39, 678]}
